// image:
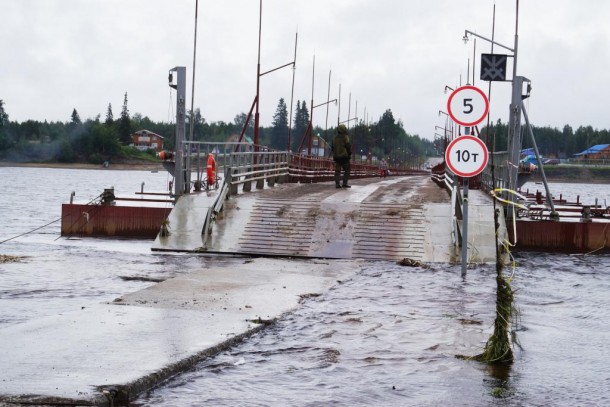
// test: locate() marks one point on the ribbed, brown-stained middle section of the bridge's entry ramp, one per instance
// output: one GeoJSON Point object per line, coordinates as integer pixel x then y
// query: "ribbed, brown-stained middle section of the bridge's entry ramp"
{"type": "Point", "coordinates": [324, 229]}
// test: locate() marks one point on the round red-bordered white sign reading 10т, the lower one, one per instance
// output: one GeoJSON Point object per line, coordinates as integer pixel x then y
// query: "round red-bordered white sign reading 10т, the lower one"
{"type": "Point", "coordinates": [466, 156]}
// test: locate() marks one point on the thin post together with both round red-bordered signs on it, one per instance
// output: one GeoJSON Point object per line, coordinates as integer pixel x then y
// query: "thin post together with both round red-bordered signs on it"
{"type": "Point", "coordinates": [466, 156]}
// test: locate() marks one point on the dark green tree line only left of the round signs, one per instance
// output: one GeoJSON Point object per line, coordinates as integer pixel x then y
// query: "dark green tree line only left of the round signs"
{"type": "Point", "coordinates": [97, 140]}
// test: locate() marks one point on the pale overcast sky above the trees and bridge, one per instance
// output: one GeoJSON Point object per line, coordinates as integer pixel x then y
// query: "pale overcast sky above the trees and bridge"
{"type": "Point", "coordinates": [58, 55]}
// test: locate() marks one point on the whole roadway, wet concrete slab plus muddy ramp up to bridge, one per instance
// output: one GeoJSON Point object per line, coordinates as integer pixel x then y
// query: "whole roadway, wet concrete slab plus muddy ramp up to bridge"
{"type": "Point", "coordinates": [114, 351]}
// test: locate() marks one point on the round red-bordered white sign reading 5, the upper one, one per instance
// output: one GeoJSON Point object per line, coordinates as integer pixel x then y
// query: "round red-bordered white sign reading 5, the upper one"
{"type": "Point", "coordinates": [467, 105]}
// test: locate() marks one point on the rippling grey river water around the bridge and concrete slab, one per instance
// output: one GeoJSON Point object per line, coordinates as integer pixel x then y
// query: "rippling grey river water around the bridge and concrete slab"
{"type": "Point", "coordinates": [386, 337]}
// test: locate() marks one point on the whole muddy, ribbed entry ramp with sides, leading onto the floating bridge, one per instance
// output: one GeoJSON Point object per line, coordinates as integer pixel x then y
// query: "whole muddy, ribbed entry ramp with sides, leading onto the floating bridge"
{"type": "Point", "coordinates": [376, 219]}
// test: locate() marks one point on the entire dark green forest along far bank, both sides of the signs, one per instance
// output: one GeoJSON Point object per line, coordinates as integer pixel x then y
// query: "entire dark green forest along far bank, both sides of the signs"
{"type": "Point", "coordinates": [96, 140]}
